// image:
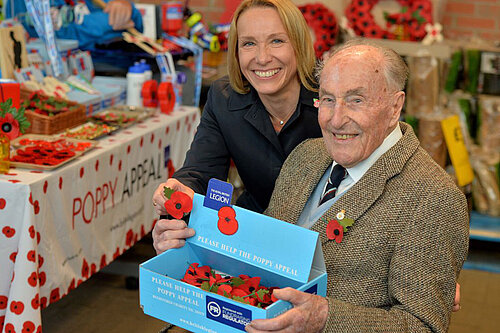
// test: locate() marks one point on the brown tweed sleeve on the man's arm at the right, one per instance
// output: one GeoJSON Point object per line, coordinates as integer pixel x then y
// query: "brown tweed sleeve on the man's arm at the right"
{"type": "Point", "coordinates": [422, 272]}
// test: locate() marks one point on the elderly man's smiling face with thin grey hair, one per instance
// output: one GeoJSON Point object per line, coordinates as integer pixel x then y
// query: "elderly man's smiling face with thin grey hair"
{"type": "Point", "coordinates": [357, 108]}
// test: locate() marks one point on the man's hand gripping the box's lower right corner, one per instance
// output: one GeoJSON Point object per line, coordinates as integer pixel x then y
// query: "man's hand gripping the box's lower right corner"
{"type": "Point", "coordinates": [308, 315]}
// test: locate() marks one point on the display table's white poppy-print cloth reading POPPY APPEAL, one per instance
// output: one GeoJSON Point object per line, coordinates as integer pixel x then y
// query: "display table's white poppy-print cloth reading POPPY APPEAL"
{"type": "Point", "coordinates": [59, 227]}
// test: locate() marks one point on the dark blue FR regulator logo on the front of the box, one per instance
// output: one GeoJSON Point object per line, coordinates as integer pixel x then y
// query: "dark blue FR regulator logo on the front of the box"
{"type": "Point", "coordinates": [227, 313]}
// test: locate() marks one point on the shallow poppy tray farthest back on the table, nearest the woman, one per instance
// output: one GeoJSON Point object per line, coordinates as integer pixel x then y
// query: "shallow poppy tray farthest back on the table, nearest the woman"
{"type": "Point", "coordinates": [122, 116]}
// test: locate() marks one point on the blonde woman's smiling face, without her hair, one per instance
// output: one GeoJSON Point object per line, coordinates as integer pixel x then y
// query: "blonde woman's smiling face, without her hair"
{"type": "Point", "coordinates": [266, 56]}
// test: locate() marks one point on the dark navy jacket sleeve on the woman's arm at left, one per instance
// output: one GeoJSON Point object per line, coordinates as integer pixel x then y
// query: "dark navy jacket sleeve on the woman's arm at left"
{"type": "Point", "coordinates": [208, 156]}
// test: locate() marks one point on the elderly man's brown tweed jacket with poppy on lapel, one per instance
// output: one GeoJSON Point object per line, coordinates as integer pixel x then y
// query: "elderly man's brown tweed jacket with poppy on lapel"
{"type": "Point", "coordinates": [396, 267]}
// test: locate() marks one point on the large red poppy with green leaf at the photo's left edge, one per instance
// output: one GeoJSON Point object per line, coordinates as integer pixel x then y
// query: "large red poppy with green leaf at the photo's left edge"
{"type": "Point", "coordinates": [13, 122]}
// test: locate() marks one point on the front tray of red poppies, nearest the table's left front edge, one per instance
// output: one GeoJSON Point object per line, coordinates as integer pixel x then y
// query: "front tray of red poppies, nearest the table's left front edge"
{"type": "Point", "coordinates": [45, 152]}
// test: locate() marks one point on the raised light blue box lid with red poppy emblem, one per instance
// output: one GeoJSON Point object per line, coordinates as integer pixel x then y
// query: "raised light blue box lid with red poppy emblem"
{"type": "Point", "coordinates": [268, 243]}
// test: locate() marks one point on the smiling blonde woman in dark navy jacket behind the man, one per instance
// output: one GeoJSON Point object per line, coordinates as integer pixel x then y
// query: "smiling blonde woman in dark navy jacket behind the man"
{"type": "Point", "coordinates": [258, 114]}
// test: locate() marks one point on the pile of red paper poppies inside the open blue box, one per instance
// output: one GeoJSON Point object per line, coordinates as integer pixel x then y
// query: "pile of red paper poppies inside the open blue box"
{"type": "Point", "coordinates": [243, 288]}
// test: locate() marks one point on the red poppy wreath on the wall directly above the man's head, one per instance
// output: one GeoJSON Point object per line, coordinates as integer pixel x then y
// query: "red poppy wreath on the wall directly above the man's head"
{"type": "Point", "coordinates": [412, 18]}
